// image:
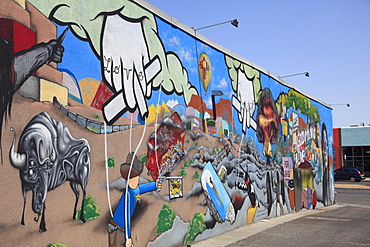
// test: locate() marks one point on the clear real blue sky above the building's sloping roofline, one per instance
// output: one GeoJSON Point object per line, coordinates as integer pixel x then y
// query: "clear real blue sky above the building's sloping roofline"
{"type": "Point", "coordinates": [329, 39]}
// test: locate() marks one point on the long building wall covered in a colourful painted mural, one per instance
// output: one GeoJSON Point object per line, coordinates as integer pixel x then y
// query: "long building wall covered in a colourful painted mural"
{"type": "Point", "coordinates": [164, 139]}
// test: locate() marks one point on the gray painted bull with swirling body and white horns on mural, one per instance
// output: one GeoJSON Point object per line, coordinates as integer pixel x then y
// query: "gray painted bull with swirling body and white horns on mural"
{"type": "Point", "coordinates": [48, 156]}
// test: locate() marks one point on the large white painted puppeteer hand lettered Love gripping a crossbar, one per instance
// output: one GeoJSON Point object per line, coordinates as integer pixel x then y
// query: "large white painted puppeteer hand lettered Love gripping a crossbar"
{"type": "Point", "coordinates": [128, 70]}
